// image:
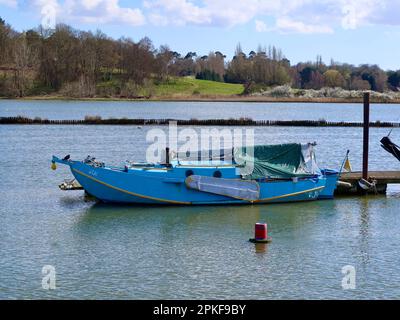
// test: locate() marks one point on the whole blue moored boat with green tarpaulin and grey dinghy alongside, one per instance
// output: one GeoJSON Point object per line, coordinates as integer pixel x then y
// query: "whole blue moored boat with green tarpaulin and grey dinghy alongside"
{"type": "Point", "coordinates": [279, 173]}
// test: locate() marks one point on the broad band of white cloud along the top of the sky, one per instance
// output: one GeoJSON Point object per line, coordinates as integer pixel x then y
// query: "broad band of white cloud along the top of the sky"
{"type": "Point", "coordinates": [294, 16]}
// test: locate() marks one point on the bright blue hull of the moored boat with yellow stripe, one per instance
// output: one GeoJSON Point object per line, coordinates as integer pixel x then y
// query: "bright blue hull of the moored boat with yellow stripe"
{"type": "Point", "coordinates": [167, 186]}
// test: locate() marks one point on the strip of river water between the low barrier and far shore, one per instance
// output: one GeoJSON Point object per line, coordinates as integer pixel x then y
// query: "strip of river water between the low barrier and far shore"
{"type": "Point", "coordinates": [198, 110]}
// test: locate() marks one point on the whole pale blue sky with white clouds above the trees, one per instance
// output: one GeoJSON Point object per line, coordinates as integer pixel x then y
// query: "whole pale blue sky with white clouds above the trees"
{"type": "Point", "coordinates": [352, 31]}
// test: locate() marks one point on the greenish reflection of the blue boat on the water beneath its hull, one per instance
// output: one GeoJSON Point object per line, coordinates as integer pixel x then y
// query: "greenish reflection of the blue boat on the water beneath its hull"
{"type": "Point", "coordinates": [224, 224]}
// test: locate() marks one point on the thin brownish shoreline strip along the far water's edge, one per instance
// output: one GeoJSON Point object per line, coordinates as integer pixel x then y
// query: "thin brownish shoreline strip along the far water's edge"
{"type": "Point", "coordinates": [207, 98]}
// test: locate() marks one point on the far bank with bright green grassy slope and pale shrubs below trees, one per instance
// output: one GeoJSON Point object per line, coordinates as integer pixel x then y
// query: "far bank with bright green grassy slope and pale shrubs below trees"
{"type": "Point", "coordinates": [191, 89]}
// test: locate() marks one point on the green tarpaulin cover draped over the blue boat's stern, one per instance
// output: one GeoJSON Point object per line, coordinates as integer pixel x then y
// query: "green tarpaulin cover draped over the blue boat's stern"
{"type": "Point", "coordinates": [280, 161]}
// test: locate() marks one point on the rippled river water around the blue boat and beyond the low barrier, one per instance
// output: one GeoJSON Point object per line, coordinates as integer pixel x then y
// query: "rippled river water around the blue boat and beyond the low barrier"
{"type": "Point", "coordinates": [102, 251]}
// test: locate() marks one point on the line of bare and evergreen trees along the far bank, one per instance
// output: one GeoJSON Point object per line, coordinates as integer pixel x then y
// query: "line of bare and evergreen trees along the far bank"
{"type": "Point", "coordinates": [85, 64]}
